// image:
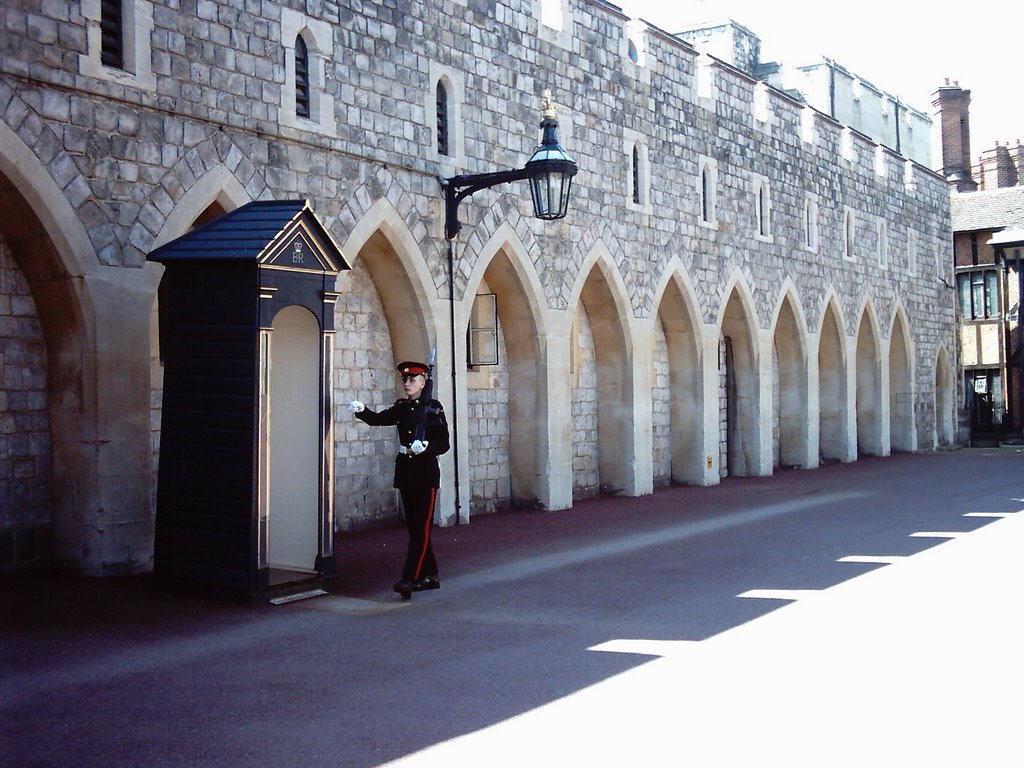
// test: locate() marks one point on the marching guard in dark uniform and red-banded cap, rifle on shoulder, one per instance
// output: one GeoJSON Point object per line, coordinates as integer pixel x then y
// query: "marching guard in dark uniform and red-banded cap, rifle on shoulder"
{"type": "Point", "coordinates": [423, 436]}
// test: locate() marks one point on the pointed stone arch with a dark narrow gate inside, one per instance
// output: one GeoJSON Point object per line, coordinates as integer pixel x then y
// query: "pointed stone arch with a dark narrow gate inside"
{"type": "Point", "coordinates": [739, 331]}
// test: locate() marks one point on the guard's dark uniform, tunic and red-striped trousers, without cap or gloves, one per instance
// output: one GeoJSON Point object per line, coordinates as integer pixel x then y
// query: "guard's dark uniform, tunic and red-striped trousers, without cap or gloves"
{"type": "Point", "coordinates": [416, 477]}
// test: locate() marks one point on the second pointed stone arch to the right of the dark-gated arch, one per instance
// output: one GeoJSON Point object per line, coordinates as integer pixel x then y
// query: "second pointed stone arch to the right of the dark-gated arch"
{"type": "Point", "coordinates": [835, 437]}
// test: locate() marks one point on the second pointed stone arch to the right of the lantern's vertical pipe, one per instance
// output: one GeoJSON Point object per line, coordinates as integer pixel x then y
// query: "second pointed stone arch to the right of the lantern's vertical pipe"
{"type": "Point", "coordinates": [603, 413]}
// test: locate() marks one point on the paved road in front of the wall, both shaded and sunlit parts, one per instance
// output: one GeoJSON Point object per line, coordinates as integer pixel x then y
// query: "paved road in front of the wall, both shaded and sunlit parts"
{"type": "Point", "coordinates": [857, 615]}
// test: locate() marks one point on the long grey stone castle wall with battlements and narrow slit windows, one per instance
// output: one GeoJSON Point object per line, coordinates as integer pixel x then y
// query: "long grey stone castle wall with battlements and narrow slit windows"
{"type": "Point", "coordinates": [204, 113]}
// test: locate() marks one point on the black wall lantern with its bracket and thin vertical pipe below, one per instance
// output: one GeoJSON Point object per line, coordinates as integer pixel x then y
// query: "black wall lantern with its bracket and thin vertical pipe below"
{"type": "Point", "coordinates": [550, 174]}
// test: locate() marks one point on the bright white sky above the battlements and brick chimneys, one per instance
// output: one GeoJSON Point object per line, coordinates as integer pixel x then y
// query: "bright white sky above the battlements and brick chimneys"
{"type": "Point", "coordinates": [905, 49]}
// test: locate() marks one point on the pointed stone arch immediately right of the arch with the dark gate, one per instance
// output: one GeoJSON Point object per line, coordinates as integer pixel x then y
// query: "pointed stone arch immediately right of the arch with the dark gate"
{"type": "Point", "coordinates": [791, 402]}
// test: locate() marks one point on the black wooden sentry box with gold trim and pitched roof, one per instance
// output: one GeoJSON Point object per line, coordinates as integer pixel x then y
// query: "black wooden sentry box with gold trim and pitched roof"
{"type": "Point", "coordinates": [244, 500]}
